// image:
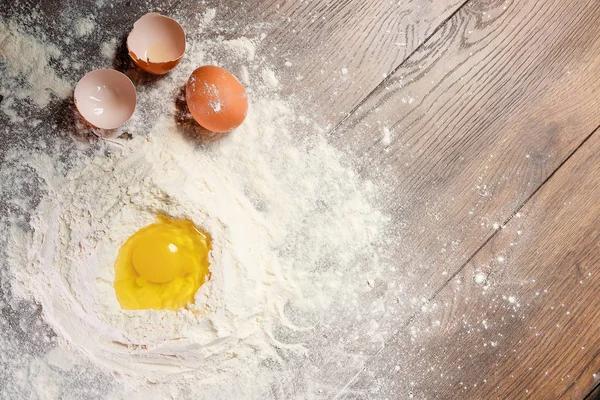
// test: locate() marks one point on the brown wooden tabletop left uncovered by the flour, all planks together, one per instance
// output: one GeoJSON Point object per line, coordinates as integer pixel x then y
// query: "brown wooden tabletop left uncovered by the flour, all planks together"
{"type": "Point", "coordinates": [482, 116]}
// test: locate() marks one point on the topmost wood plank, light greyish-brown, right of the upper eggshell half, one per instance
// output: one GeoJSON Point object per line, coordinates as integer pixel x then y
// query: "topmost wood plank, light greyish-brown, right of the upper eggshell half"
{"type": "Point", "coordinates": [324, 39]}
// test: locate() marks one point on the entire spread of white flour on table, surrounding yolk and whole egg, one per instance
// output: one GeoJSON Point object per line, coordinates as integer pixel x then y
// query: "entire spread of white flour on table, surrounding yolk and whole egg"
{"type": "Point", "coordinates": [292, 229]}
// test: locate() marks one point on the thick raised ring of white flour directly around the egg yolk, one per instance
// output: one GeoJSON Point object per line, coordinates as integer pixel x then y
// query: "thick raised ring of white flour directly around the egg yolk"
{"type": "Point", "coordinates": [78, 231]}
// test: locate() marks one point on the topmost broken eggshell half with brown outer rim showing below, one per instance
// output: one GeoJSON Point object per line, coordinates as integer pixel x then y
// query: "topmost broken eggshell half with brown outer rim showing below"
{"type": "Point", "coordinates": [156, 43]}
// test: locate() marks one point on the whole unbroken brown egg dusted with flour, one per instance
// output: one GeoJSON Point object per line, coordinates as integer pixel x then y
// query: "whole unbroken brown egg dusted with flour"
{"type": "Point", "coordinates": [216, 99]}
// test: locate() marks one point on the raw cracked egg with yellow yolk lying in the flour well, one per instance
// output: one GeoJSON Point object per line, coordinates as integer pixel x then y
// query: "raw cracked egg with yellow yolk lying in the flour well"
{"type": "Point", "coordinates": [162, 266]}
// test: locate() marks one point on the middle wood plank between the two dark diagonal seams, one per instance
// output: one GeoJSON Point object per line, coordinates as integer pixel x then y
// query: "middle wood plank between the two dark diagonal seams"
{"type": "Point", "coordinates": [478, 119]}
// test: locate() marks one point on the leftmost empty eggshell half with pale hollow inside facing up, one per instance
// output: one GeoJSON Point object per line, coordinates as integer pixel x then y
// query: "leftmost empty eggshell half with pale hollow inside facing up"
{"type": "Point", "coordinates": [105, 98]}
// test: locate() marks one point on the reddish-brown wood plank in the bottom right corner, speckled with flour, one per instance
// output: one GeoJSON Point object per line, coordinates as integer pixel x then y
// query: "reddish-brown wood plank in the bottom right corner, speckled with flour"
{"type": "Point", "coordinates": [521, 320]}
